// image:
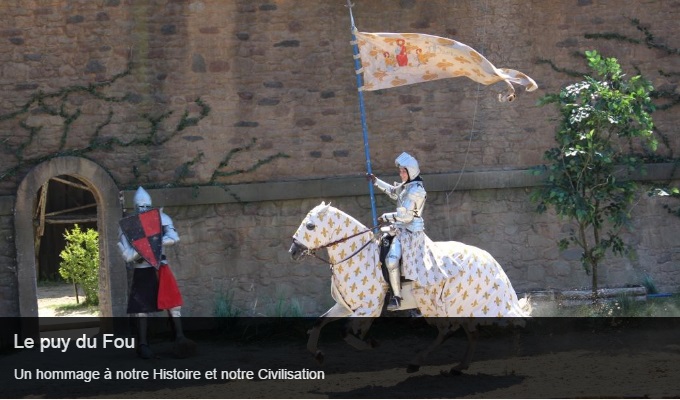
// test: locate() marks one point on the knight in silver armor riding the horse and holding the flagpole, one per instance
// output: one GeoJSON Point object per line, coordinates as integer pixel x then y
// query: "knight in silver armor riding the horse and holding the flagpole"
{"type": "Point", "coordinates": [407, 221]}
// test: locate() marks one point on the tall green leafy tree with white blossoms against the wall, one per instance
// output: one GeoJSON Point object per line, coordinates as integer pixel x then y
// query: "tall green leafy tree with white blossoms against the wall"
{"type": "Point", "coordinates": [604, 129]}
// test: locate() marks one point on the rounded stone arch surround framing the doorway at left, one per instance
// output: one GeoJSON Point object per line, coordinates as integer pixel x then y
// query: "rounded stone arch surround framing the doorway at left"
{"type": "Point", "coordinates": [112, 276]}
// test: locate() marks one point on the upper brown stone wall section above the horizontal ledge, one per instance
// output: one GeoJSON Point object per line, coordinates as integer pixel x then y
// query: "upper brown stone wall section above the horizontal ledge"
{"type": "Point", "coordinates": [278, 78]}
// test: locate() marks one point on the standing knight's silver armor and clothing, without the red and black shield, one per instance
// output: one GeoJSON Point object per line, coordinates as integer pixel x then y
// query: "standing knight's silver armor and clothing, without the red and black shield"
{"type": "Point", "coordinates": [154, 289]}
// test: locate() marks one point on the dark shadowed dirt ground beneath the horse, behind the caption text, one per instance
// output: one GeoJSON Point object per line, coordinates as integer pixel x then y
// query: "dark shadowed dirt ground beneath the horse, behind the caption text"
{"type": "Point", "coordinates": [635, 358]}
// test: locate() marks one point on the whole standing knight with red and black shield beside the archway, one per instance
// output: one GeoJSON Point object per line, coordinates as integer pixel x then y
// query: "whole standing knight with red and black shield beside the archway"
{"type": "Point", "coordinates": [154, 287]}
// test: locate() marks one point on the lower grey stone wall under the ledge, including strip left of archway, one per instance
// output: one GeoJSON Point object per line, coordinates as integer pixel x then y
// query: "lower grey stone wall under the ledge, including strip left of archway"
{"type": "Point", "coordinates": [237, 250]}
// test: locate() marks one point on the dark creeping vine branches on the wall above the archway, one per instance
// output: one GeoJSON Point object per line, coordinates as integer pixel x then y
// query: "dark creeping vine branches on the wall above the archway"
{"type": "Point", "coordinates": [152, 130]}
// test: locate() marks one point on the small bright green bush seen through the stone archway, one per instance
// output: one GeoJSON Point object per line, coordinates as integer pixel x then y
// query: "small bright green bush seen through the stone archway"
{"type": "Point", "coordinates": [80, 262]}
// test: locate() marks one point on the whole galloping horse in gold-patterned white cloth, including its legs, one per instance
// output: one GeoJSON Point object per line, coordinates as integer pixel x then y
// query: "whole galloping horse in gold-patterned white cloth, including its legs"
{"type": "Point", "coordinates": [460, 282]}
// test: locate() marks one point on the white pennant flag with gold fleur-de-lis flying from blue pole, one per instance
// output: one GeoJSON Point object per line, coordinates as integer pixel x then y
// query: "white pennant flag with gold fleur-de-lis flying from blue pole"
{"type": "Point", "coordinates": [395, 59]}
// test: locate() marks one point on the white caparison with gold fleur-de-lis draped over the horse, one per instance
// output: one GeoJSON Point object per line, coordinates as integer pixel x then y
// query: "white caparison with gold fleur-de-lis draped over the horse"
{"type": "Point", "coordinates": [451, 279]}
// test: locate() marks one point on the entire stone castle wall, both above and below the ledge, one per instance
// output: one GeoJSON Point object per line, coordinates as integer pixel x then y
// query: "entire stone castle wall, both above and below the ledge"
{"type": "Point", "coordinates": [186, 93]}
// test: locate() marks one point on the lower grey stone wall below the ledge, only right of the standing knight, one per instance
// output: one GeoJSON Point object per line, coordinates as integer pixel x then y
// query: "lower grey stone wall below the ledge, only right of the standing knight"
{"type": "Point", "coordinates": [249, 259]}
